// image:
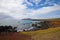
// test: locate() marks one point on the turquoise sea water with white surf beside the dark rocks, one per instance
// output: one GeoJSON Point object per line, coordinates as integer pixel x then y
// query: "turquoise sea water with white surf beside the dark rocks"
{"type": "Point", "coordinates": [26, 24]}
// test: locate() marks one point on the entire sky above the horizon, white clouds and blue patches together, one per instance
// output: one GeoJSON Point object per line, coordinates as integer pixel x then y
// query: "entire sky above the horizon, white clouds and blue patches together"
{"type": "Point", "coordinates": [19, 9]}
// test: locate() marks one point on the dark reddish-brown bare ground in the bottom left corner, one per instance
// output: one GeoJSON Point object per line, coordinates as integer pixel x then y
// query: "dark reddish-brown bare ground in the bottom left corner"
{"type": "Point", "coordinates": [14, 36]}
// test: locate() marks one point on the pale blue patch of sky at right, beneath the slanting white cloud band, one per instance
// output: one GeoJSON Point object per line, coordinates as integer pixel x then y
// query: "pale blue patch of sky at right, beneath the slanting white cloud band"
{"type": "Point", "coordinates": [53, 14]}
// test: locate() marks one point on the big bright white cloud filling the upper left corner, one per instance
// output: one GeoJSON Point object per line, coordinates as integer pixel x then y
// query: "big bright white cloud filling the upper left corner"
{"type": "Point", "coordinates": [12, 7]}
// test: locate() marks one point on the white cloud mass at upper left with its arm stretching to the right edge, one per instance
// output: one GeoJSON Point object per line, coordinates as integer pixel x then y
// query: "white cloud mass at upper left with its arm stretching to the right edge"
{"type": "Point", "coordinates": [15, 9]}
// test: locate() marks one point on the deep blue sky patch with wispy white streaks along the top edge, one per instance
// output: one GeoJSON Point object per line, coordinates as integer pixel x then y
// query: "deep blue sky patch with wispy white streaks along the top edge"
{"type": "Point", "coordinates": [36, 4]}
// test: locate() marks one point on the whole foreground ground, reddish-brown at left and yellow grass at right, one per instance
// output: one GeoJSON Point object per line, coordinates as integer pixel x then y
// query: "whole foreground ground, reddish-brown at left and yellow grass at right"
{"type": "Point", "coordinates": [47, 34]}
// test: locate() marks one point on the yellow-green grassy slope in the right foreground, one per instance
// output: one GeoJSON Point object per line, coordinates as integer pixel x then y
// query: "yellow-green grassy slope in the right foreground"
{"type": "Point", "coordinates": [47, 34]}
